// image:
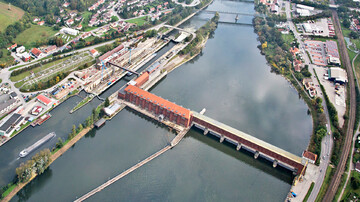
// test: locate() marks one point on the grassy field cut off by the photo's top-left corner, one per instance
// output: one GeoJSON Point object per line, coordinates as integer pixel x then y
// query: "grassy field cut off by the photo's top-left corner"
{"type": "Point", "coordinates": [8, 17]}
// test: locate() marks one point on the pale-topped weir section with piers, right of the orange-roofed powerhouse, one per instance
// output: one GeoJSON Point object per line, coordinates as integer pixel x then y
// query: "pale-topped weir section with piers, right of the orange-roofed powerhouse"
{"type": "Point", "coordinates": [247, 142]}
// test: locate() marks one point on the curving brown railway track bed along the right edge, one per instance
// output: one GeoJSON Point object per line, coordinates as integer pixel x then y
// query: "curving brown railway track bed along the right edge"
{"type": "Point", "coordinates": [335, 182]}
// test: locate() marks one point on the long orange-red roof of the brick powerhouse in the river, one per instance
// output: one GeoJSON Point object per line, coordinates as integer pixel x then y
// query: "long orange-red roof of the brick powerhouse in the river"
{"type": "Point", "coordinates": [159, 101]}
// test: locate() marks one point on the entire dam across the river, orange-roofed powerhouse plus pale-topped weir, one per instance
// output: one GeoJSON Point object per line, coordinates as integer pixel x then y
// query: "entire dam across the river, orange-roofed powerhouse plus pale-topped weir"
{"type": "Point", "coordinates": [165, 110]}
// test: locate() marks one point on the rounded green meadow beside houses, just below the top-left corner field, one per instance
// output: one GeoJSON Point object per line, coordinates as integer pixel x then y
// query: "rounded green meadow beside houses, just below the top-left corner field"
{"type": "Point", "coordinates": [35, 33]}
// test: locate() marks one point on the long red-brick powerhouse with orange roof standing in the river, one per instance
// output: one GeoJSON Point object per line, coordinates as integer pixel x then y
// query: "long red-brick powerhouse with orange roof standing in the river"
{"type": "Point", "coordinates": [157, 105]}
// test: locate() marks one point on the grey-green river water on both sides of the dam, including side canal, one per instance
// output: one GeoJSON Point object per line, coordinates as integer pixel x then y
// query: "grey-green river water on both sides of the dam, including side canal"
{"type": "Point", "coordinates": [233, 82]}
